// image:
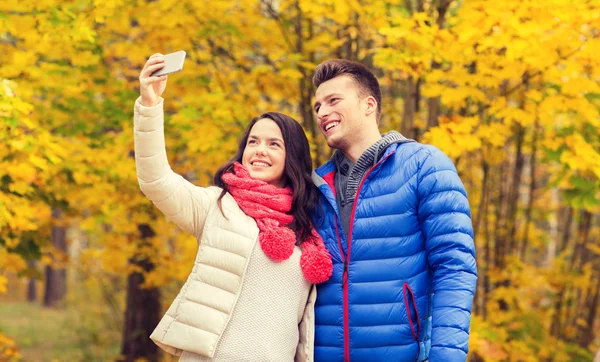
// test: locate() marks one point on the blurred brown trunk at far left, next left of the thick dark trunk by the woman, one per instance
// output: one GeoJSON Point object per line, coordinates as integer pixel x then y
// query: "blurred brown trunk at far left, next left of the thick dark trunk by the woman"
{"type": "Point", "coordinates": [56, 278]}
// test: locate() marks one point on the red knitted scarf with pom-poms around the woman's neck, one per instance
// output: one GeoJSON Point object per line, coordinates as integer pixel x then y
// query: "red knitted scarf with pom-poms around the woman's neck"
{"type": "Point", "coordinates": [269, 206]}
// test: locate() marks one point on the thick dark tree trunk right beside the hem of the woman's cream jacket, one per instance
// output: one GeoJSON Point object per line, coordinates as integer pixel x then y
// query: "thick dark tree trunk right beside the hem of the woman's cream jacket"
{"type": "Point", "coordinates": [142, 313]}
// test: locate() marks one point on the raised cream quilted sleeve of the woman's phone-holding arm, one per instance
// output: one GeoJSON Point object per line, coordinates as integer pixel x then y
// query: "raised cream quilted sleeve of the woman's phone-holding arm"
{"type": "Point", "coordinates": [181, 201]}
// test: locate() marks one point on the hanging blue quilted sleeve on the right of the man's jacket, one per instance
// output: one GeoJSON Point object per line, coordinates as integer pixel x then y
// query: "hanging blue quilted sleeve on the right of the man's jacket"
{"type": "Point", "coordinates": [445, 219]}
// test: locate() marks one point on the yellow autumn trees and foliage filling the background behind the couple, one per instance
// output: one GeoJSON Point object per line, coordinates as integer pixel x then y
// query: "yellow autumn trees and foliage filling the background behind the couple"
{"type": "Point", "coordinates": [508, 89]}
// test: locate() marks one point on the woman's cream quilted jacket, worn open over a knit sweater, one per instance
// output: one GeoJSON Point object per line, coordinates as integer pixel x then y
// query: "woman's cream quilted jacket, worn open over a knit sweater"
{"type": "Point", "coordinates": [199, 315]}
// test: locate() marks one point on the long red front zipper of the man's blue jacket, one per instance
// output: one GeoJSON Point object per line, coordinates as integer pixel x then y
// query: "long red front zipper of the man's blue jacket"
{"type": "Point", "coordinates": [346, 259]}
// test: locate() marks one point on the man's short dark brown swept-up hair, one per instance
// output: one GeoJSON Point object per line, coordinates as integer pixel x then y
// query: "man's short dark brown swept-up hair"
{"type": "Point", "coordinates": [364, 78]}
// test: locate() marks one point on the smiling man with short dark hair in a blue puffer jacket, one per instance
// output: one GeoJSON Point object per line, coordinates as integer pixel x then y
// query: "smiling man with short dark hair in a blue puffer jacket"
{"type": "Point", "coordinates": [397, 223]}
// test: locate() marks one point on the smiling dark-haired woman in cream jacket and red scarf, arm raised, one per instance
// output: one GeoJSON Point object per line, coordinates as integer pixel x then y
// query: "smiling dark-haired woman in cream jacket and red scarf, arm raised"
{"type": "Point", "coordinates": [263, 196]}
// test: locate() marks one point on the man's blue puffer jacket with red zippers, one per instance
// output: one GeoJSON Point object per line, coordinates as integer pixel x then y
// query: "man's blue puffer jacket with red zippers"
{"type": "Point", "coordinates": [407, 271]}
